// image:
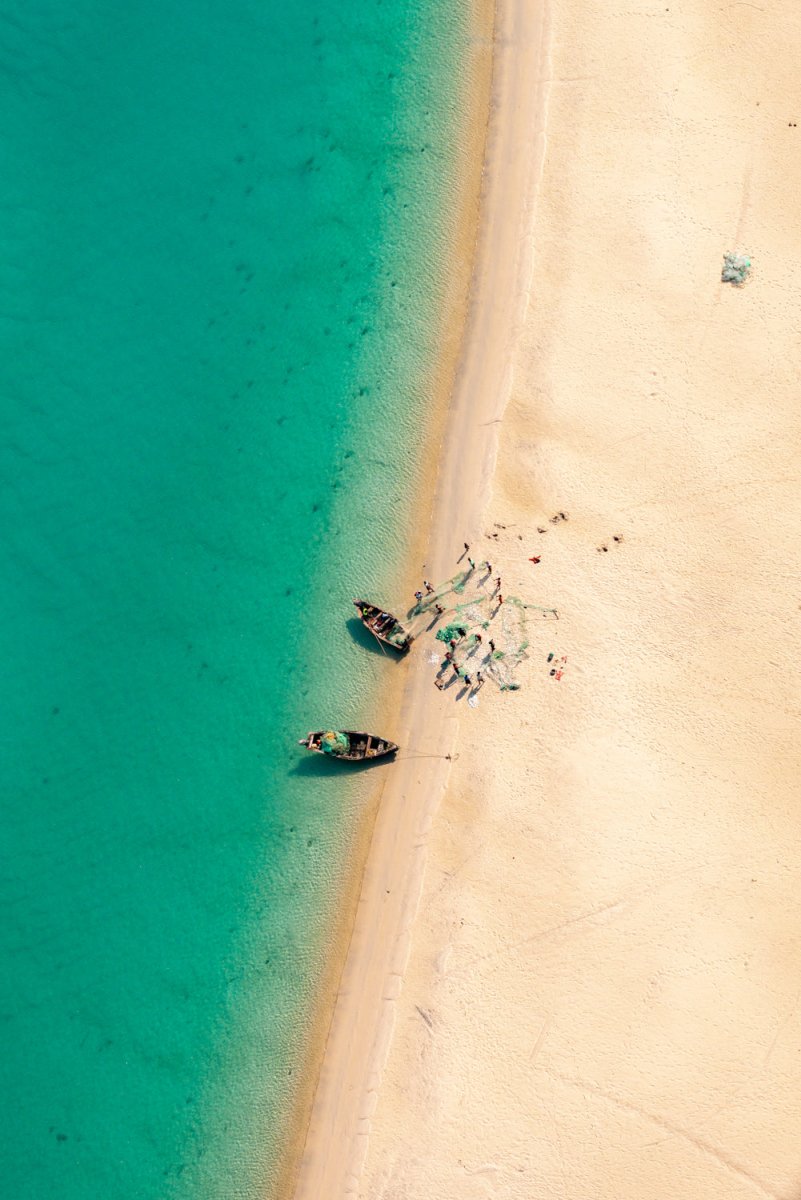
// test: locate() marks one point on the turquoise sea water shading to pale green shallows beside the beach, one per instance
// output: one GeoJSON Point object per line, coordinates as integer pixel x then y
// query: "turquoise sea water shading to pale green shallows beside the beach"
{"type": "Point", "coordinates": [220, 243]}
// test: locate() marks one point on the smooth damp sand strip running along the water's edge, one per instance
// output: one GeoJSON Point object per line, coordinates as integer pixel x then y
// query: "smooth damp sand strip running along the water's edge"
{"type": "Point", "coordinates": [338, 1133]}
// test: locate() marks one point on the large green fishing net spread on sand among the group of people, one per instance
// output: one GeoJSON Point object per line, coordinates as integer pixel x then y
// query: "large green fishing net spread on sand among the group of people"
{"type": "Point", "coordinates": [508, 626]}
